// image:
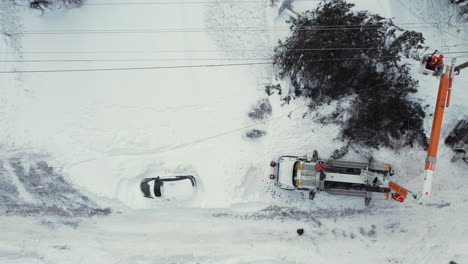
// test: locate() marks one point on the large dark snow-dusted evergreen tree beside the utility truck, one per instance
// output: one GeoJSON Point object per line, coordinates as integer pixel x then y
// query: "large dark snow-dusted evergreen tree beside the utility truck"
{"type": "Point", "coordinates": [334, 52]}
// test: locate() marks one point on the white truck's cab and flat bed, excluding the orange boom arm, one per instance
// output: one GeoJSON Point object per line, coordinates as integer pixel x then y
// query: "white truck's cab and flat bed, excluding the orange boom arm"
{"type": "Point", "coordinates": [332, 176]}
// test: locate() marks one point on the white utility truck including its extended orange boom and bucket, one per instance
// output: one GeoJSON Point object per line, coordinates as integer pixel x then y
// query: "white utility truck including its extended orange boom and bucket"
{"type": "Point", "coordinates": [364, 179]}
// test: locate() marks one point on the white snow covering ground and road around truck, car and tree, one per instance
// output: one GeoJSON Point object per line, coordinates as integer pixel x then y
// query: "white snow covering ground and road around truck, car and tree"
{"type": "Point", "coordinates": [104, 131]}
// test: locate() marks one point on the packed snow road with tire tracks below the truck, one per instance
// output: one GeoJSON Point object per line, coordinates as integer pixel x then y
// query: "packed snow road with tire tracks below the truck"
{"type": "Point", "coordinates": [239, 235]}
